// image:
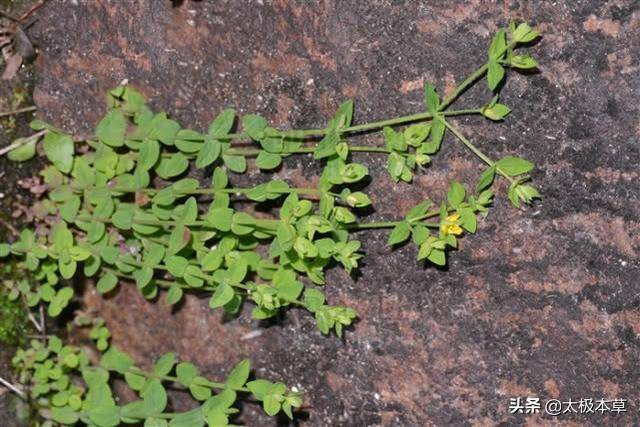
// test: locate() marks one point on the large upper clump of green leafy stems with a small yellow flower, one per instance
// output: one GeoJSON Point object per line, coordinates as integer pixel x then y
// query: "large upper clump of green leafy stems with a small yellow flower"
{"type": "Point", "coordinates": [124, 209]}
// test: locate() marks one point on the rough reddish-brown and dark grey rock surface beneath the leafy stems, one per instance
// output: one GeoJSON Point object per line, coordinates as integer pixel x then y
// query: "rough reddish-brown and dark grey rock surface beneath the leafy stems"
{"type": "Point", "coordinates": [541, 302]}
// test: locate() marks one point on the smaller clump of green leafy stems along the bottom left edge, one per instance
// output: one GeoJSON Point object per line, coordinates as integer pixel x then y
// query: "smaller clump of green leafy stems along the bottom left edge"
{"type": "Point", "coordinates": [66, 387]}
